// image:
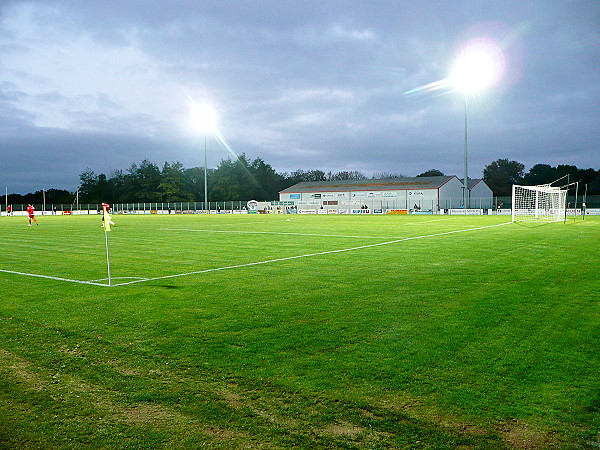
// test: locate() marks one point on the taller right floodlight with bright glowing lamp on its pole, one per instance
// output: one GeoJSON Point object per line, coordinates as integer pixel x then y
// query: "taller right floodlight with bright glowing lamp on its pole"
{"type": "Point", "coordinates": [480, 64]}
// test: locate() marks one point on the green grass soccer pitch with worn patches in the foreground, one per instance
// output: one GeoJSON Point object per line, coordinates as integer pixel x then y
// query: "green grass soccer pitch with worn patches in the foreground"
{"type": "Point", "coordinates": [277, 331]}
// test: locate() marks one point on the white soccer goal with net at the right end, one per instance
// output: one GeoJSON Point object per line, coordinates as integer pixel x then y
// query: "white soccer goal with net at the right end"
{"type": "Point", "coordinates": [541, 204]}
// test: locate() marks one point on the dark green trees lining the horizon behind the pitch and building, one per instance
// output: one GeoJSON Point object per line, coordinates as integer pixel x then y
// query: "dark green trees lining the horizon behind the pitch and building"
{"type": "Point", "coordinates": [246, 178]}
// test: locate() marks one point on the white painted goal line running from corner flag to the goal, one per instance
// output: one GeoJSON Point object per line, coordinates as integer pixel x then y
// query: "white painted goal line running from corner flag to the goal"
{"type": "Point", "coordinates": [289, 258]}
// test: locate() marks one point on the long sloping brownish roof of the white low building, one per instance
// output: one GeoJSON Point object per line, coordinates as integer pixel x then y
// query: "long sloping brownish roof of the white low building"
{"type": "Point", "coordinates": [386, 184]}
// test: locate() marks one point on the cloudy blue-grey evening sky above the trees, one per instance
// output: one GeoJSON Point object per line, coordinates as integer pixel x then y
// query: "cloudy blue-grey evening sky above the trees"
{"type": "Point", "coordinates": [330, 85]}
